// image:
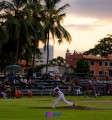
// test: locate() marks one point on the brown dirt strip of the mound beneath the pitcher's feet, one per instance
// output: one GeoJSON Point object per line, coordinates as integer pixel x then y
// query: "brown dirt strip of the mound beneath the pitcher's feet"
{"type": "Point", "coordinates": [71, 107]}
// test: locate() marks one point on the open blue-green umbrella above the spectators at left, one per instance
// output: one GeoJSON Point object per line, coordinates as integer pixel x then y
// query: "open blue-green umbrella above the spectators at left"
{"type": "Point", "coordinates": [12, 69]}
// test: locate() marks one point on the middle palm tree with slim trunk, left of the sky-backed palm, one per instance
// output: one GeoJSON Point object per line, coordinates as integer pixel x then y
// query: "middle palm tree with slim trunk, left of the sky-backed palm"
{"type": "Point", "coordinates": [36, 10]}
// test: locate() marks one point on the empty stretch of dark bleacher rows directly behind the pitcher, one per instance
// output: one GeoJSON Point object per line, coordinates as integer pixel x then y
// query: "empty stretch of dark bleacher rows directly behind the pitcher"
{"type": "Point", "coordinates": [43, 87]}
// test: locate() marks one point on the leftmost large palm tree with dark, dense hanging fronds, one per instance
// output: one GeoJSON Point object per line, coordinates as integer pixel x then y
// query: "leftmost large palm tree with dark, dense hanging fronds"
{"type": "Point", "coordinates": [18, 24]}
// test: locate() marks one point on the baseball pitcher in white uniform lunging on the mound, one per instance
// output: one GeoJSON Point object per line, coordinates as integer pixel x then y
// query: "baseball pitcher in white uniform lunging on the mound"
{"type": "Point", "coordinates": [60, 96]}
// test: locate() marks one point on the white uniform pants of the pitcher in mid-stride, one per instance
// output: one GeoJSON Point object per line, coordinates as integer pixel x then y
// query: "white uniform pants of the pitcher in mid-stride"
{"type": "Point", "coordinates": [62, 98]}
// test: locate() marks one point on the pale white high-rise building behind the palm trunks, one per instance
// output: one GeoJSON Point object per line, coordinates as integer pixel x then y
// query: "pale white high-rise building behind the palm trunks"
{"type": "Point", "coordinates": [43, 57]}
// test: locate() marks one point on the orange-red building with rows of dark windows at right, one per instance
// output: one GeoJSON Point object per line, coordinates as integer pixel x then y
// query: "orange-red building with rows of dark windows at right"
{"type": "Point", "coordinates": [101, 67]}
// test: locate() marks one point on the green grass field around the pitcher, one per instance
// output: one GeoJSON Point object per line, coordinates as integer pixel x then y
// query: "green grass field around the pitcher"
{"type": "Point", "coordinates": [25, 108]}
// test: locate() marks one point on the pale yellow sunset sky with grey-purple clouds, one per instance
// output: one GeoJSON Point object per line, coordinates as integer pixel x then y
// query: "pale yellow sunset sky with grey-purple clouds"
{"type": "Point", "coordinates": [87, 21]}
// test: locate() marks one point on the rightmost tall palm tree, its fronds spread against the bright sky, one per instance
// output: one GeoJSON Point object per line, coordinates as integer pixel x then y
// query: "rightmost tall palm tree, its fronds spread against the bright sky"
{"type": "Point", "coordinates": [53, 27]}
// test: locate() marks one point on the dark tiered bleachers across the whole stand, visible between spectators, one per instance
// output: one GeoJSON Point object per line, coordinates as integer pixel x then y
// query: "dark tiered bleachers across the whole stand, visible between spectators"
{"type": "Point", "coordinates": [45, 87]}
